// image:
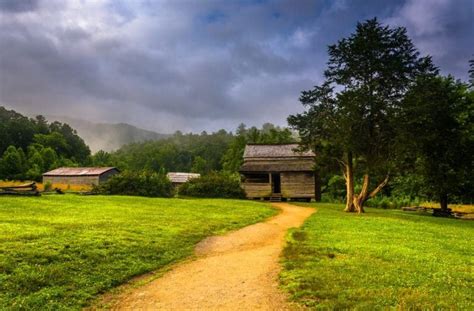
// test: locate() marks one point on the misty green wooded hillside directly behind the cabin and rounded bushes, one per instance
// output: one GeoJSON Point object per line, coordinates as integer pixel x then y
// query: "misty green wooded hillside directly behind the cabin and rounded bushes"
{"type": "Point", "coordinates": [198, 153]}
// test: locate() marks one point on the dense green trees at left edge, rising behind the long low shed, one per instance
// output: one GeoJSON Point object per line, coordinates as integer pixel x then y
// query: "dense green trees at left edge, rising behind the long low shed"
{"type": "Point", "coordinates": [31, 146]}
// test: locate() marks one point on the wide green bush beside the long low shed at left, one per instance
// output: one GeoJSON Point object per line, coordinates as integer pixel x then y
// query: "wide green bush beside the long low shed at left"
{"type": "Point", "coordinates": [147, 184]}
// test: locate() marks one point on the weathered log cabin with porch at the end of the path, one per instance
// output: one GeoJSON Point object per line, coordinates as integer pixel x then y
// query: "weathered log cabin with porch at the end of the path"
{"type": "Point", "coordinates": [278, 172]}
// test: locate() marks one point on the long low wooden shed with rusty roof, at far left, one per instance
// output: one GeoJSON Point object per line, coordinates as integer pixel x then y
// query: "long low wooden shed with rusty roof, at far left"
{"type": "Point", "coordinates": [79, 175]}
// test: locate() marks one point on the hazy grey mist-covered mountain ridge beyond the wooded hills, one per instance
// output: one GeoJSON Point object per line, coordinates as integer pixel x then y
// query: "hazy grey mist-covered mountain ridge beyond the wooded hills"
{"type": "Point", "coordinates": [107, 136]}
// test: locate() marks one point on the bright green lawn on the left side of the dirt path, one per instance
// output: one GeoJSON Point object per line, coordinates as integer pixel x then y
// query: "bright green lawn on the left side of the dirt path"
{"type": "Point", "coordinates": [59, 252]}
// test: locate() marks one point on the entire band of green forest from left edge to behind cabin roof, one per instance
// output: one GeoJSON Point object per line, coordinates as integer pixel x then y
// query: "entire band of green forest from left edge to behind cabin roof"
{"type": "Point", "coordinates": [32, 146]}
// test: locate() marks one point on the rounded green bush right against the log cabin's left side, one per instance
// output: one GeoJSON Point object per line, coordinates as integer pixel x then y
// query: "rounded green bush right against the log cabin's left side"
{"type": "Point", "coordinates": [214, 185]}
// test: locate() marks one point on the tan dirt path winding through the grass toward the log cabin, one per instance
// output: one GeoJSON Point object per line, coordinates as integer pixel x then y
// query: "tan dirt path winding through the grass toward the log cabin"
{"type": "Point", "coordinates": [235, 271]}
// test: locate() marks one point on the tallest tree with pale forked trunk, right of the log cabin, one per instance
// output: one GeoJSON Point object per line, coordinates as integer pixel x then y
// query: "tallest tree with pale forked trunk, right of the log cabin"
{"type": "Point", "coordinates": [350, 116]}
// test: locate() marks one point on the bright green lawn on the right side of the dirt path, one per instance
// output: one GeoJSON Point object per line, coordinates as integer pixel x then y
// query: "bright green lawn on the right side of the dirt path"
{"type": "Point", "coordinates": [378, 260]}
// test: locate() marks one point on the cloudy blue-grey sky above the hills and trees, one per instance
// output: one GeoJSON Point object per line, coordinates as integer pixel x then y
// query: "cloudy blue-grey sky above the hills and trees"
{"type": "Point", "coordinates": [197, 65]}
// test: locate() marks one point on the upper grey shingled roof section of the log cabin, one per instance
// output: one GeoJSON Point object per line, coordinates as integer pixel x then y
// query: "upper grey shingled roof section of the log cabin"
{"type": "Point", "coordinates": [275, 151]}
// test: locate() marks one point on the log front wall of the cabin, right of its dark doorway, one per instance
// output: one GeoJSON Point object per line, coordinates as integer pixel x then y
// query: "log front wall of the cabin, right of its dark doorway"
{"type": "Point", "coordinates": [297, 184]}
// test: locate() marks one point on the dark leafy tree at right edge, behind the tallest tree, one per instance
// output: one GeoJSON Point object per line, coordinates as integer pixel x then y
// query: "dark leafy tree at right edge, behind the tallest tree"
{"type": "Point", "coordinates": [438, 116]}
